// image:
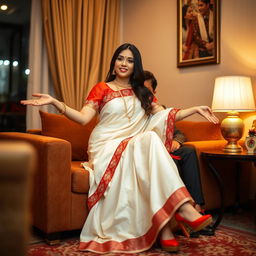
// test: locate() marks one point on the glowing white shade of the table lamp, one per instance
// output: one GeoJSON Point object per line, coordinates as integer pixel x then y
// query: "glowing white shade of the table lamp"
{"type": "Point", "coordinates": [233, 93]}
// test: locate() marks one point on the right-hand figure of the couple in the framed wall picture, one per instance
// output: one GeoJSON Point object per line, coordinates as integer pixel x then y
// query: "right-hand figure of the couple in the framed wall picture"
{"type": "Point", "coordinates": [203, 29]}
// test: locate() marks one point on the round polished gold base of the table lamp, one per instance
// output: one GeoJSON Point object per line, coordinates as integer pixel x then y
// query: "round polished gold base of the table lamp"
{"type": "Point", "coordinates": [232, 130]}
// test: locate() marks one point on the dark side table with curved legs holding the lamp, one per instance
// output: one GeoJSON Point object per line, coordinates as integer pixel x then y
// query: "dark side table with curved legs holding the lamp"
{"type": "Point", "coordinates": [210, 156]}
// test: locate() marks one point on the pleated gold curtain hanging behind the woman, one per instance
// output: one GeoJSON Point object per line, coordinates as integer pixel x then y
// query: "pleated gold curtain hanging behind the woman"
{"type": "Point", "coordinates": [81, 36]}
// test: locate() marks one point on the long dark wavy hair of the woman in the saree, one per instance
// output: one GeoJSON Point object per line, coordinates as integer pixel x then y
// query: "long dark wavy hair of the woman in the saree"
{"type": "Point", "coordinates": [137, 77]}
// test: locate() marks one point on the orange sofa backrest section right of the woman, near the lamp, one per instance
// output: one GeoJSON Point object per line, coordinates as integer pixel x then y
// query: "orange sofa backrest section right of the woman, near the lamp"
{"type": "Point", "coordinates": [198, 131]}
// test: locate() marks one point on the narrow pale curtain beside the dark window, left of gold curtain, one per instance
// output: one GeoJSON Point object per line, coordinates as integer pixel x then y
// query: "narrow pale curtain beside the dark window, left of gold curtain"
{"type": "Point", "coordinates": [39, 77]}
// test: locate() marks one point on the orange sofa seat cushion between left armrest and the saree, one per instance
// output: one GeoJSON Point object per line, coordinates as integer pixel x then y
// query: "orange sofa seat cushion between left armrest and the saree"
{"type": "Point", "coordinates": [79, 178]}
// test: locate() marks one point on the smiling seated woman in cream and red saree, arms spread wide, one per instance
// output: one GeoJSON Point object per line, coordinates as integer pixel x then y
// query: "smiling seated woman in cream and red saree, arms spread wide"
{"type": "Point", "coordinates": [135, 188]}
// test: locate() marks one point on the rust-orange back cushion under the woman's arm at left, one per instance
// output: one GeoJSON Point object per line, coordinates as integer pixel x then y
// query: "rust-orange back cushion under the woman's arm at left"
{"type": "Point", "coordinates": [59, 126]}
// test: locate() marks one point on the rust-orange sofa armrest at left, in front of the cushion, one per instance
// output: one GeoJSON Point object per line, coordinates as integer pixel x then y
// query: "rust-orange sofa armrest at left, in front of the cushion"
{"type": "Point", "coordinates": [51, 199]}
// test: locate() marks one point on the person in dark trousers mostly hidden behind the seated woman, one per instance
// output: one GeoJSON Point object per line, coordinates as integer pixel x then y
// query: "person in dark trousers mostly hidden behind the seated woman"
{"type": "Point", "coordinates": [187, 165]}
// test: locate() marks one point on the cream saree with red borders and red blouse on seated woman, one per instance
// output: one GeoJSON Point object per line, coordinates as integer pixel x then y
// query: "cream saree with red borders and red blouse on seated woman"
{"type": "Point", "coordinates": [135, 187]}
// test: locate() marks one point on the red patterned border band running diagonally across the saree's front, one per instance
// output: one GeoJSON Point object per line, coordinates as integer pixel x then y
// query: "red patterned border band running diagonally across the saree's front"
{"type": "Point", "coordinates": [107, 176]}
